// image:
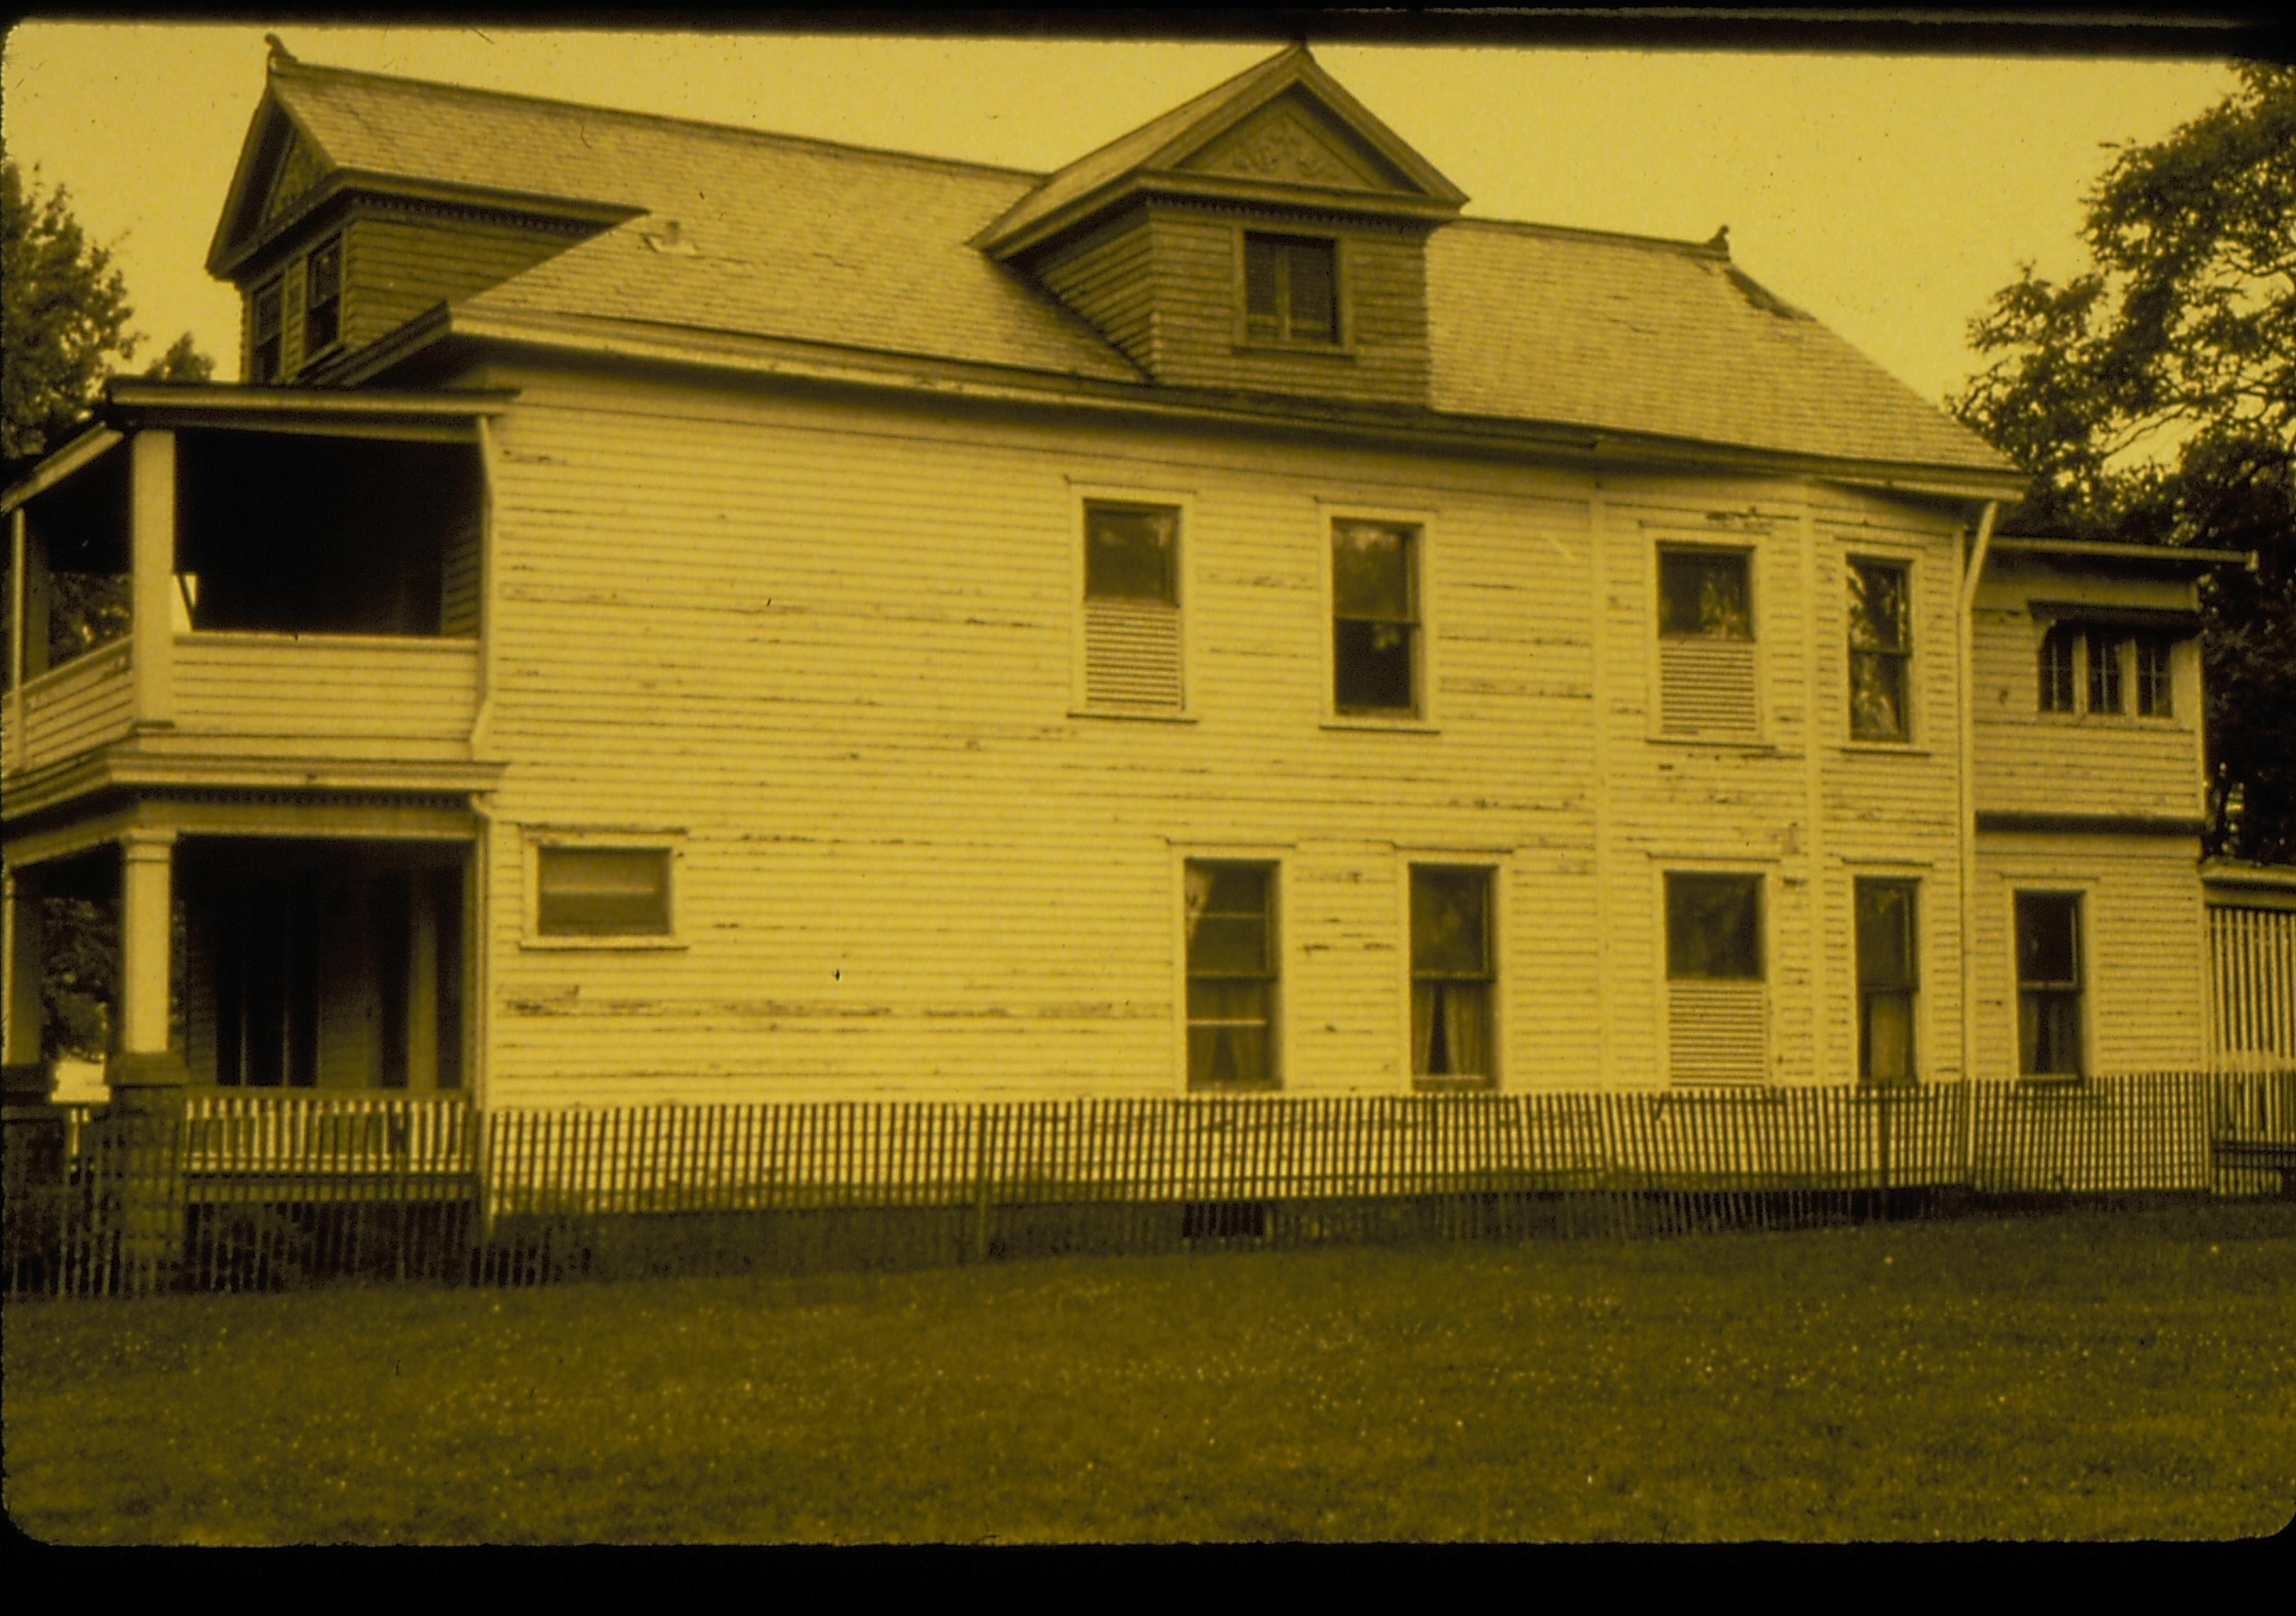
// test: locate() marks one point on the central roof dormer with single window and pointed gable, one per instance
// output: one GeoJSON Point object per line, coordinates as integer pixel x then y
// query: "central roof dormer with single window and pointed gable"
{"type": "Point", "coordinates": [1264, 238]}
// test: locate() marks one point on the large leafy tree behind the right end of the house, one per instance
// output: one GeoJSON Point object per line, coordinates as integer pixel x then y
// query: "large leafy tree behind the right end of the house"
{"type": "Point", "coordinates": [2155, 401]}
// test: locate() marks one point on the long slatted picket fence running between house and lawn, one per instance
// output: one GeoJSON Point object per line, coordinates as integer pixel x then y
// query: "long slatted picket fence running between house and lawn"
{"type": "Point", "coordinates": [231, 1192]}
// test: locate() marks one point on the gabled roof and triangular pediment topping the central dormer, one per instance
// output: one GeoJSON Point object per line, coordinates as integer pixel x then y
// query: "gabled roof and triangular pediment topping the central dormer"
{"type": "Point", "coordinates": [1282, 134]}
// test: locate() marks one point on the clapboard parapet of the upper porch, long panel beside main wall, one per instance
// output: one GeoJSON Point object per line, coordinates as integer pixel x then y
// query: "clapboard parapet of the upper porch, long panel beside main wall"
{"type": "Point", "coordinates": [408, 699]}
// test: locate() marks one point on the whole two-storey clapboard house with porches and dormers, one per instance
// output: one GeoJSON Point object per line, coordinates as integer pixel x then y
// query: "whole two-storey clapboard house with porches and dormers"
{"type": "Point", "coordinates": [697, 614]}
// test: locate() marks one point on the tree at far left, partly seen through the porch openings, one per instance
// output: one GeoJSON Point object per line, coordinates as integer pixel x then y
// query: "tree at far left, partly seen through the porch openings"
{"type": "Point", "coordinates": [63, 329]}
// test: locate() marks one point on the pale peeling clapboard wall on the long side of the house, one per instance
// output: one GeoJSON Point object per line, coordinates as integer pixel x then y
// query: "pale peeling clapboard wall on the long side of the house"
{"type": "Point", "coordinates": [828, 648]}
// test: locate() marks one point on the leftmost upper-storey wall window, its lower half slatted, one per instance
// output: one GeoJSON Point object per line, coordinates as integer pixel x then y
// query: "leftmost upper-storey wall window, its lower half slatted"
{"type": "Point", "coordinates": [1133, 605]}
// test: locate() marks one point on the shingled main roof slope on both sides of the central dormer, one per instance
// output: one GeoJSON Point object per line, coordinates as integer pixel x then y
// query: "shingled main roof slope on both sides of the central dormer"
{"type": "Point", "coordinates": [860, 249]}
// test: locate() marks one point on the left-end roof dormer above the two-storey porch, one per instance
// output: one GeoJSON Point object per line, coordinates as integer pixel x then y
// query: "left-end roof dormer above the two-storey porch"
{"type": "Point", "coordinates": [336, 249]}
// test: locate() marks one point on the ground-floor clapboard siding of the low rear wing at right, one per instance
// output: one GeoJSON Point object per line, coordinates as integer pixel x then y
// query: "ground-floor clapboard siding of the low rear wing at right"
{"type": "Point", "coordinates": [2146, 942]}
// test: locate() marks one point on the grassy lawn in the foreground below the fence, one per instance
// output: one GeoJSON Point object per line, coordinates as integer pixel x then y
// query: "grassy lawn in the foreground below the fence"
{"type": "Point", "coordinates": [2072, 1376]}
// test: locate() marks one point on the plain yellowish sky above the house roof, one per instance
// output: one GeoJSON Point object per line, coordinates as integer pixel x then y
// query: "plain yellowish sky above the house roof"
{"type": "Point", "coordinates": [1888, 196]}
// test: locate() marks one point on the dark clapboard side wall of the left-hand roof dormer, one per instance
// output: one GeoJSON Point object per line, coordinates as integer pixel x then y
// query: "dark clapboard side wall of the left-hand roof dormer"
{"type": "Point", "coordinates": [401, 265]}
